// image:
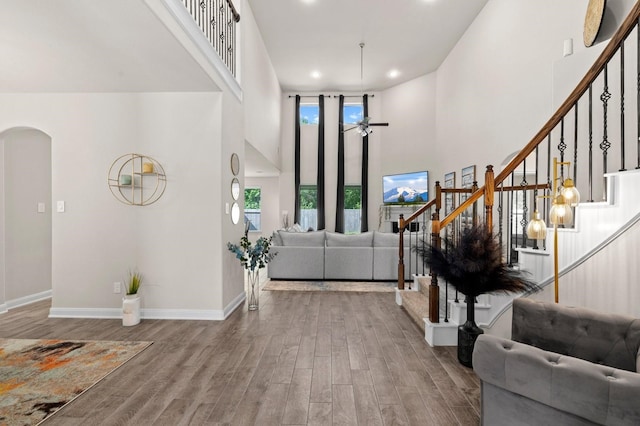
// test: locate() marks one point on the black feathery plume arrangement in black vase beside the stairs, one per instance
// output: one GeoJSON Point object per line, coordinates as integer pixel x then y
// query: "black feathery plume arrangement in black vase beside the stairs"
{"type": "Point", "coordinates": [473, 265]}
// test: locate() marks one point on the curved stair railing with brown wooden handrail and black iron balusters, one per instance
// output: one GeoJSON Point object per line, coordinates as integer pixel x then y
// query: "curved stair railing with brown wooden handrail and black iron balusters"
{"type": "Point", "coordinates": [596, 130]}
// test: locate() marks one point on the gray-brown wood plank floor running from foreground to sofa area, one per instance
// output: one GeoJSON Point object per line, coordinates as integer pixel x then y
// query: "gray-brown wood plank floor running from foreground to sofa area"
{"type": "Point", "coordinates": [303, 359]}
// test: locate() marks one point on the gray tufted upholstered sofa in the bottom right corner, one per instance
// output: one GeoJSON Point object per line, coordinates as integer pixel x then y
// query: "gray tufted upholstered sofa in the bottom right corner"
{"type": "Point", "coordinates": [563, 366]}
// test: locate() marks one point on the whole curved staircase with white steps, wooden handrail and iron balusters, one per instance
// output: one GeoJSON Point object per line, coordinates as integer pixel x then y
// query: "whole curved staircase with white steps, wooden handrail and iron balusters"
{"type": "Point", "coordinates": [589, 134]}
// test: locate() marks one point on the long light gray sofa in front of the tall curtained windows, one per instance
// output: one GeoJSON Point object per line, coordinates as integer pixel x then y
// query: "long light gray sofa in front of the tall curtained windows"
{"type": "Point", "coordinates": [323, 255]}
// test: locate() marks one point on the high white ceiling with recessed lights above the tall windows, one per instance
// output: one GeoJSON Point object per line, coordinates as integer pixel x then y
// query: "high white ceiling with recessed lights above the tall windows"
{"type": "Point", "coordinates": [411, 36]}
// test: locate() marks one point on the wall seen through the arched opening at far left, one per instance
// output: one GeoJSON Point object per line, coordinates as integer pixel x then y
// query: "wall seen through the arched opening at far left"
{"type": "Point", "coordinates": [27, 236]}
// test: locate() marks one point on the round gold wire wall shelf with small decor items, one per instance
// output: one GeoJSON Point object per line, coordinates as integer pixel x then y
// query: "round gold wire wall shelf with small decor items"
{"type": "Point", "coordinates": [137, 180]}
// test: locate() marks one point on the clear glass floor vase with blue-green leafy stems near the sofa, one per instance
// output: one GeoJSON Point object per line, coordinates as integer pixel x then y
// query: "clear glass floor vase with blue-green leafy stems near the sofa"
{"type": "Point", "coordinates": [253, 258]}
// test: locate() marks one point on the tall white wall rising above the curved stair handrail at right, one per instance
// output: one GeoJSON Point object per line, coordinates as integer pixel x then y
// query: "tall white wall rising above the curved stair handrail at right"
{"type": "Point", "coordinates": [495, 88]}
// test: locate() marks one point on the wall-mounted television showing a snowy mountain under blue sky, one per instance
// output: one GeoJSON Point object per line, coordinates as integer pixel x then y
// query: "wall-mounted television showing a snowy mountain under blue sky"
{"type": "Point", "coordinates": [405, 188]}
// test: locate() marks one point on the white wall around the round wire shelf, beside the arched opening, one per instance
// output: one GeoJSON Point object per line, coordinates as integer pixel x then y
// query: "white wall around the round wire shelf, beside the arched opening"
{"type": "Point", "coordinates": [178, 242]}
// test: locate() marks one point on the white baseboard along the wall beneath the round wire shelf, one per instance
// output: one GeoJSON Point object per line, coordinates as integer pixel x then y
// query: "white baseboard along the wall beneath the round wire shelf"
{"type": "Point", "coordinates": [151, 313]}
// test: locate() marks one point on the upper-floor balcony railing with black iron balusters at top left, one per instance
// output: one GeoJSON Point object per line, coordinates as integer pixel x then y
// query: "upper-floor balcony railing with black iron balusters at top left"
{"type": "Point", "coordinates": [217, 19]}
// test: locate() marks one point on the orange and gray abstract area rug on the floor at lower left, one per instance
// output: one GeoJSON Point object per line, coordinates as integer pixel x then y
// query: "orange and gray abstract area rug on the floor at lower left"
{"type": "Point", "coordinates": [38, 377]}
